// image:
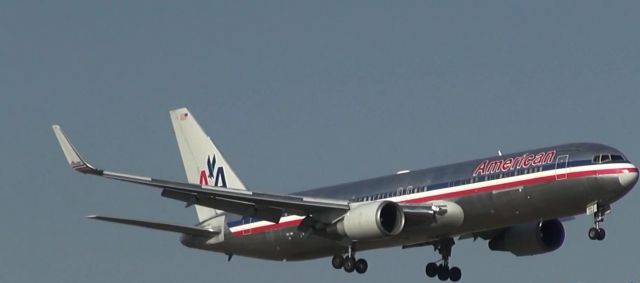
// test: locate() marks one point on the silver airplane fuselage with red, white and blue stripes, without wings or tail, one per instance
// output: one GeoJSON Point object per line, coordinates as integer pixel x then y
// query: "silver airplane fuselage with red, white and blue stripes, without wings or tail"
{"type": "Point", "coordinates": [495, 192]}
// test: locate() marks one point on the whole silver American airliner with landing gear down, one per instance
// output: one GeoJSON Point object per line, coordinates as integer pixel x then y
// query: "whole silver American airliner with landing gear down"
{"type": "Point", "coordinates": [516, 202]}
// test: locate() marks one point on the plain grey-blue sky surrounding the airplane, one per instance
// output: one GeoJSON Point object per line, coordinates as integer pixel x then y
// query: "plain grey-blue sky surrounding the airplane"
{"type": "Point", "coordinates": [299, 94]}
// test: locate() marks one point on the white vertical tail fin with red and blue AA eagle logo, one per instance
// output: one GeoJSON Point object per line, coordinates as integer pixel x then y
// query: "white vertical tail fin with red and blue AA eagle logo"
{"type": "Point", "coordinates": [203, 162]}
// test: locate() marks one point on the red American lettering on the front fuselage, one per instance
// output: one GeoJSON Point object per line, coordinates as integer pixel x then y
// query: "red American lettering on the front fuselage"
{"type": "Point", "coordinates": [525, 161]}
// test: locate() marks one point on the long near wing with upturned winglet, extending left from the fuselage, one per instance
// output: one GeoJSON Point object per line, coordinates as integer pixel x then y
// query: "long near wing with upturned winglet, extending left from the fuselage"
{"type": "Point", "coordinates": [270, 207]}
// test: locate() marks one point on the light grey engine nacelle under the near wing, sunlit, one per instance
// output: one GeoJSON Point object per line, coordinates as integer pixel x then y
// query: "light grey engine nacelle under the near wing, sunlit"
{"type": "Point", "coordinates": [372, 220]}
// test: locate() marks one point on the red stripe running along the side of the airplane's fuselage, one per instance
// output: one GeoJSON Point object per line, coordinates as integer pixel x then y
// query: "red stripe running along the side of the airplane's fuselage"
{"type": "Point", "coordinates": [532, 181]}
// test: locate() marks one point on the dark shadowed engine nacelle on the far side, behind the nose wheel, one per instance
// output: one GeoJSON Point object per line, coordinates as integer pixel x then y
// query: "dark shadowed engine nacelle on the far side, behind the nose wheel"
{"type": "Point", "coordinates": [530, 239]}
